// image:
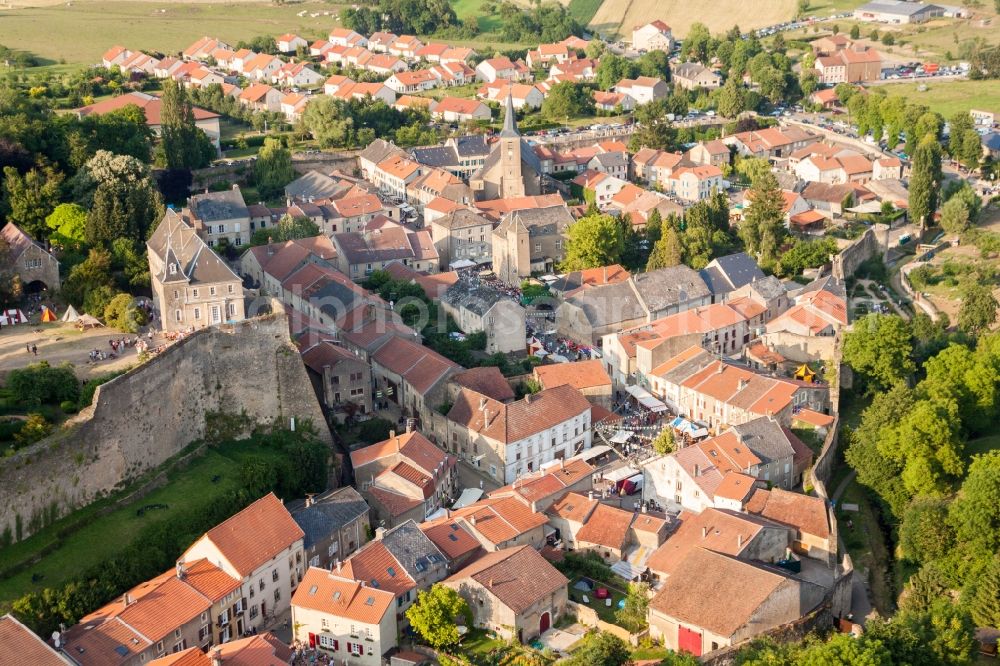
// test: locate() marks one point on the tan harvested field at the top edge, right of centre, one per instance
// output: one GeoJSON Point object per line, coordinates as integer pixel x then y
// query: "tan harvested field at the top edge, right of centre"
{"type": "Point", "coordinates": [618, 17]}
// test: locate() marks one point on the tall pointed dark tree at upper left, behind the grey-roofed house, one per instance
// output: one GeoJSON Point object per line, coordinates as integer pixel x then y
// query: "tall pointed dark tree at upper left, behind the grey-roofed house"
{"type": "Point", "coordinates": [182, 144]}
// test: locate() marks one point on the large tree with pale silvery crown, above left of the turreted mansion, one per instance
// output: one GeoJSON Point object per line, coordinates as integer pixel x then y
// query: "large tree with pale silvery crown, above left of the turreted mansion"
{"type": "Point", "coordinates": [124, 202]}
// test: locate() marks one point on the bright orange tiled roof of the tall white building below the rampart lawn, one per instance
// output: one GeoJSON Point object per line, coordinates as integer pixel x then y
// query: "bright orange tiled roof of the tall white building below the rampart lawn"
{"type": "Point", "coordinates": [256, 534]}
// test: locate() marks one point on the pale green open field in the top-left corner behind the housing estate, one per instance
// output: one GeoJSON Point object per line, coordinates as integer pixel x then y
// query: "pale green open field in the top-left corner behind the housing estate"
{"type": "Point", "coordinates": [79, 32]}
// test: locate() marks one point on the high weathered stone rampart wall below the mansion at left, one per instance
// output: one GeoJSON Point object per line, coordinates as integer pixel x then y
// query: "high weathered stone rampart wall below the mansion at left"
{"type": "Point", "coordinates": [249, 372]}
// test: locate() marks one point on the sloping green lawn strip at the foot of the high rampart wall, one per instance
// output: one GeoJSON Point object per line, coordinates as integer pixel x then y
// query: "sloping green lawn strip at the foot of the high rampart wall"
{"type": "Point", "coordinates": [205, 478]}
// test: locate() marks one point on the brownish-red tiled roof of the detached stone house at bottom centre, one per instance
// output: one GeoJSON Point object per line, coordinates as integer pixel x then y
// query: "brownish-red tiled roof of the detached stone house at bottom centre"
{"type": "Point", "coordinates": [517, 577]}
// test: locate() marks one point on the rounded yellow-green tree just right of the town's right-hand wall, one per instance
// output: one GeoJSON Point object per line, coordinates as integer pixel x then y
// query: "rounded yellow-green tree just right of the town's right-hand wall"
{"type": "Point", "coordinates": [880, 349]}
